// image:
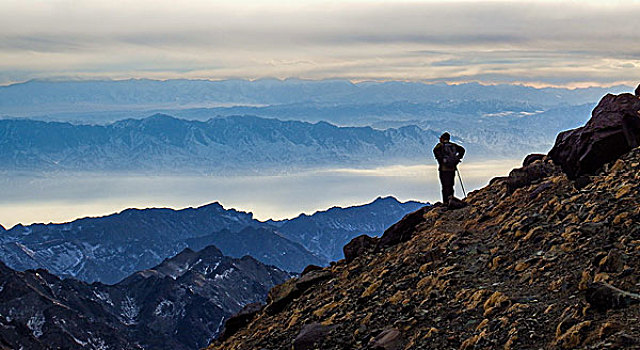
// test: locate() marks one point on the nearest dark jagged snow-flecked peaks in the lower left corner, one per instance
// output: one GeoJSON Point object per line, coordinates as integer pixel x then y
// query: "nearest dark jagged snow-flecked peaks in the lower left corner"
{"type": "Point", "coordinates": [179, 304]}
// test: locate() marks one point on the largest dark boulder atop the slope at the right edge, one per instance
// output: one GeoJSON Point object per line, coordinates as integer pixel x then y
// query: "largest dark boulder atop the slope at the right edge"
{"type": "Point", "coordinates": [613, 130]}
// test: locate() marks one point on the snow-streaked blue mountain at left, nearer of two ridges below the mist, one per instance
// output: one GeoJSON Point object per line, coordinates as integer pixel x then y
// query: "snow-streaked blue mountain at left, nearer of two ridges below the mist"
{"type": "Point", "coordinates": [110, 248]}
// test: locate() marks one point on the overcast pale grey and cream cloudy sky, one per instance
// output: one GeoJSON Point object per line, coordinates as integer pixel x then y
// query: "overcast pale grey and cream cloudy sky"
{"type": "Point", "coordinates": [568, 43]}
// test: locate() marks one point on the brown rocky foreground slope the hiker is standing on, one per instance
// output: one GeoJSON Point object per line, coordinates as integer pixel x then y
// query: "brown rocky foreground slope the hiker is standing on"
{"type": "Point", "coordinates": [535, 260]}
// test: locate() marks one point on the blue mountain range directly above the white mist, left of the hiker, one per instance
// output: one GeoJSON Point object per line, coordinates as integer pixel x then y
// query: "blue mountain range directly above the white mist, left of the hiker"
{"type": "Point", "coordinates": [230, 145]}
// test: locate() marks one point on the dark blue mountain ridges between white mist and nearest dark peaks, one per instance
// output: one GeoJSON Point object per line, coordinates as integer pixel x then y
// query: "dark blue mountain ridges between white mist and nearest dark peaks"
{"type": "Point", "coordinates": [109, 248]}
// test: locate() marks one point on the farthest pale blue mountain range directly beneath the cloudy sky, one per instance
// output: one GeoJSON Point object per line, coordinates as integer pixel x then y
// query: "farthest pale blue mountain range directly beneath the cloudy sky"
{"type": "Point", "coordinates": [39, 97]}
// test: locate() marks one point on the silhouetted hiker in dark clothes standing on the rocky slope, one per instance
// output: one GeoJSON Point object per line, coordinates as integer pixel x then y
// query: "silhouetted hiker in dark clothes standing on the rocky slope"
{"type": "Point", "coordinates": [448, 155]}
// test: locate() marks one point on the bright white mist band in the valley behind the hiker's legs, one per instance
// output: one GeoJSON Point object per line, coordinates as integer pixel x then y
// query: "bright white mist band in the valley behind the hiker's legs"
{"type": "Point", "coordinates": [63, 198]}
